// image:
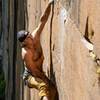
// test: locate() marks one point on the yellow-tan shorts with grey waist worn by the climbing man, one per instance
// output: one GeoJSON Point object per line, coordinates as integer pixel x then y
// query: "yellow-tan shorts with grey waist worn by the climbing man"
{"type": "Point", "coordinates": [34, 82]}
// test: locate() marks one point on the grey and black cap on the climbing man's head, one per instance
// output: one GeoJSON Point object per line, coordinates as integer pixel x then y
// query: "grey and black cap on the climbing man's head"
{"type": "Point", "coordinates": [21, 35]}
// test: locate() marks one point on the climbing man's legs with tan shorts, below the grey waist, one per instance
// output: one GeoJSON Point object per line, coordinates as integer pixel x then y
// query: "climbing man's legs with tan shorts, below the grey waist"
{"type": "Point", "coordinates": [46, 91]}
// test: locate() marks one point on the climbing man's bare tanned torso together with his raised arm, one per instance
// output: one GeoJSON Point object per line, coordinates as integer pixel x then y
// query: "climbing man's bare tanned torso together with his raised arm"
{"type": "Point", "coordinates": [32, 53]}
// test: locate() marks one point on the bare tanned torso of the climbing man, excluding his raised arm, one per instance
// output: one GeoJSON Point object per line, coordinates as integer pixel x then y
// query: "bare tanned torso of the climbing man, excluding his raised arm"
{"type": "Point", "coordinates": [32, 53]}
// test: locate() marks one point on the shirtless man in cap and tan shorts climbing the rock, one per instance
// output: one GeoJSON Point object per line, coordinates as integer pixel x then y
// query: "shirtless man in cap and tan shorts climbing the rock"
{"type": "Point", "coordinates": [33, 57]}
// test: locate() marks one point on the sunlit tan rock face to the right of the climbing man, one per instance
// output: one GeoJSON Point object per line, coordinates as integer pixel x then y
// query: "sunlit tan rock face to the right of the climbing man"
{"type": "Point", "coordinates": [72, 70]}
